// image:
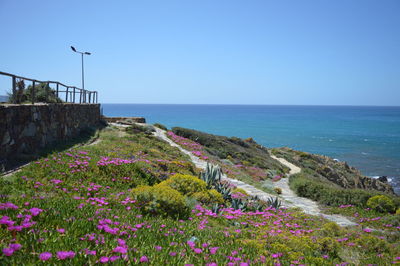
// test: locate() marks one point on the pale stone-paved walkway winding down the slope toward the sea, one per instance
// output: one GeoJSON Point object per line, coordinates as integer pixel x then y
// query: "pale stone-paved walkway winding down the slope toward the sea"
{"type": "Point", "coordinates": [289, 197]}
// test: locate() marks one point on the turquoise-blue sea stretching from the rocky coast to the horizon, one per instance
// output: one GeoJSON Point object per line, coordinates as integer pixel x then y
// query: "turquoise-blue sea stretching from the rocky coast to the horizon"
{"type": "Point", "coordinates": [366, 137]}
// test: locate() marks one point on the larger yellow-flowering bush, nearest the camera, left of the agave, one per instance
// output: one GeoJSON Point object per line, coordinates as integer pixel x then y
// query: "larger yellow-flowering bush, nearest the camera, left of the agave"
{"type": "Point", "coordinates": [161, 200]}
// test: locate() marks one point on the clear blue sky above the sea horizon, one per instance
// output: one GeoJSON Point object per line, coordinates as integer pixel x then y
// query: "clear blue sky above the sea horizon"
{"type": "Point", "coordinates": [342, 52]}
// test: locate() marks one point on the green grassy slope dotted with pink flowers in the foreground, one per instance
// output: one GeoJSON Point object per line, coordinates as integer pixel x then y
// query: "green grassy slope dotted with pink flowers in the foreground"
{"type": "Point", "coordinates": [76, 206]}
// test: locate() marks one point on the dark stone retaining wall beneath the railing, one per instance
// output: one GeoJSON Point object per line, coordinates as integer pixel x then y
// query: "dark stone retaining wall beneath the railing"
{"type": "Point", "coordinates": [25, 129]}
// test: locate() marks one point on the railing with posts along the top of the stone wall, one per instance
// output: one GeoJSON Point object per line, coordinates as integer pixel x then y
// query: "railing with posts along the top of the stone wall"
{"type": "Point", "coordinates": [85, 96]}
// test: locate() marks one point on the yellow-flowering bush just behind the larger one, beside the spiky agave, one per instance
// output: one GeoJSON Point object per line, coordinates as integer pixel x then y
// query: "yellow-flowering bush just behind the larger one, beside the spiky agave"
{"type": "Point", "coordinates": [185, 184]}
